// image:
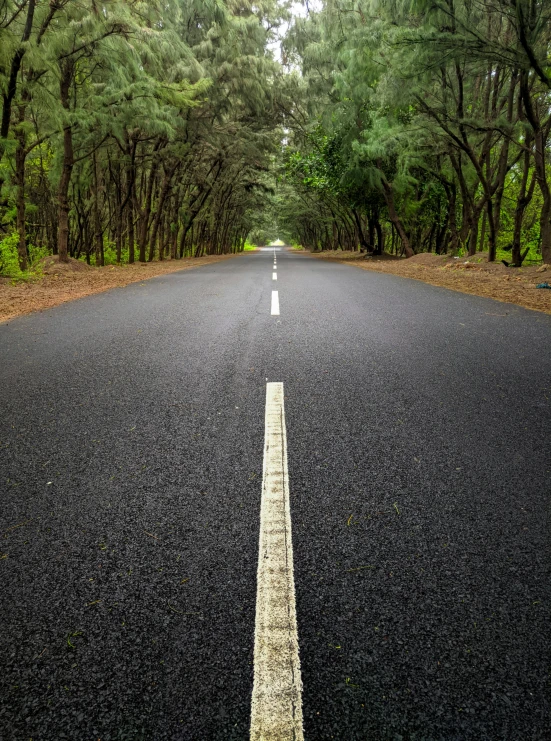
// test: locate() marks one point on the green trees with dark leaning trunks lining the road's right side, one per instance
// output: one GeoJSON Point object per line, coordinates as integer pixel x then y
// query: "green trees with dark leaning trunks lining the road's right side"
{"type": "Point", "coordinates": [412, 127]}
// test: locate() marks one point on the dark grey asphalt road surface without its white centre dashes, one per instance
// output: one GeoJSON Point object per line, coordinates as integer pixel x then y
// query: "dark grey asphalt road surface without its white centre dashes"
{"type": "Point", "coordinates": [131, 453]}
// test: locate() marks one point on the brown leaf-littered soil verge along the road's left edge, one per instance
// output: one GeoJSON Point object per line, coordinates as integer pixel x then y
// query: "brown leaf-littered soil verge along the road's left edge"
{"type": "Point", "coordinates": [61, 282]}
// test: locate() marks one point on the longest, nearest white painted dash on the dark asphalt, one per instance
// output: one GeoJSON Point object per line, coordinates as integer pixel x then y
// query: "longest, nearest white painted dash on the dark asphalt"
{"type": "Point", "coordinates": [276, 712]}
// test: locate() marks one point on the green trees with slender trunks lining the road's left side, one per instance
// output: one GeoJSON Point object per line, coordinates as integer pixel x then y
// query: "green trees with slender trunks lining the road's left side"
{"type": "Point", "coordinates": [156, 119]}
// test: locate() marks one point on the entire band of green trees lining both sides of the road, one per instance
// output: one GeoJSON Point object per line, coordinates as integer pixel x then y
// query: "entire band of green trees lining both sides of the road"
{"type": "Point", "coordinates": [160, 130]}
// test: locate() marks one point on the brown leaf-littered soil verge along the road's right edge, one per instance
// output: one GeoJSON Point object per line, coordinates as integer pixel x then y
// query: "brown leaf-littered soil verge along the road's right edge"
{"type": "Point", "coordinates": [468, 275]}
